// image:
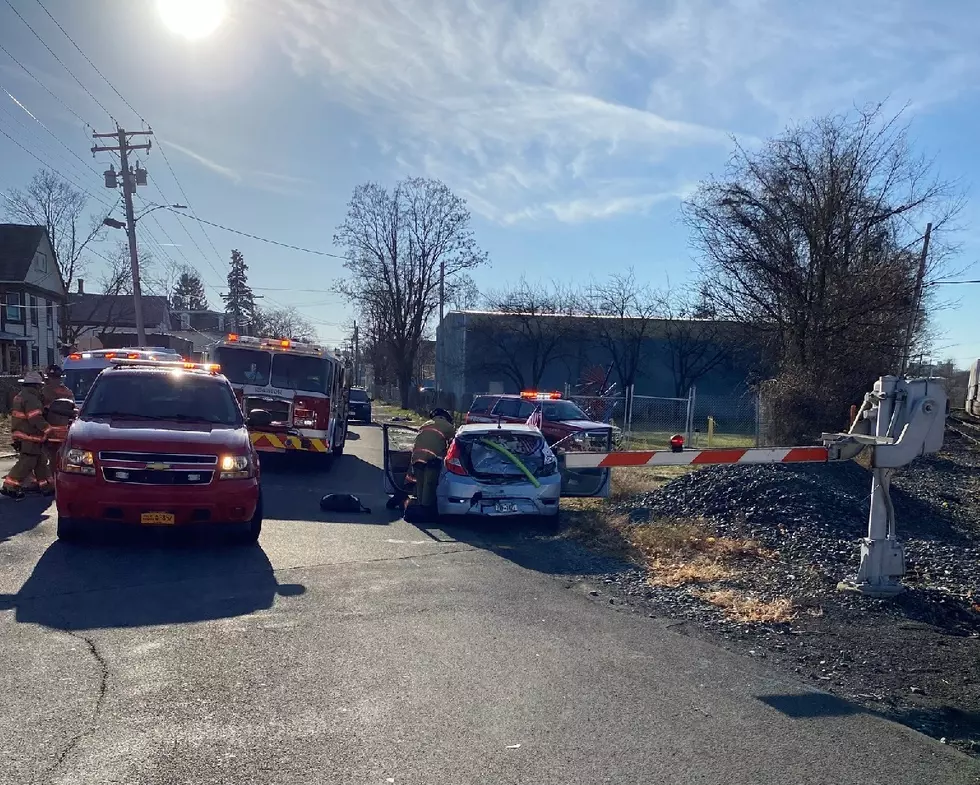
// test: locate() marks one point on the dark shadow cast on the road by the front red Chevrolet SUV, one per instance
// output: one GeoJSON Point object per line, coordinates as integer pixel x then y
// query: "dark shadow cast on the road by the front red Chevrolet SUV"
{"type": "Point", "coordinates": [168, 580]}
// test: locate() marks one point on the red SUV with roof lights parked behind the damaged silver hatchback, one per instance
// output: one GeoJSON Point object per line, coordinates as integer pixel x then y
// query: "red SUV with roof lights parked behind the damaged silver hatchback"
{"type": "Point", "coordinates": [564, 423]}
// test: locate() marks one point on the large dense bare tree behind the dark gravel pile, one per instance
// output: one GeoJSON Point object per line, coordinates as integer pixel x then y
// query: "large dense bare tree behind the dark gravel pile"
{"type": "Point", "coordinates": [811, 243]}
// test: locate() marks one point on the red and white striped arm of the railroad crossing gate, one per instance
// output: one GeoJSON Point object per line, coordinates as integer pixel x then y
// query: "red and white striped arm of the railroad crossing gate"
{"type": "Point", "coordinates": [599, 460]}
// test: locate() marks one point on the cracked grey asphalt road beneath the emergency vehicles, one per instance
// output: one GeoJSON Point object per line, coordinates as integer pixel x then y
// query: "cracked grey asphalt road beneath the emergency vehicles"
{"type": "Point", "coordinates": [361, 649]}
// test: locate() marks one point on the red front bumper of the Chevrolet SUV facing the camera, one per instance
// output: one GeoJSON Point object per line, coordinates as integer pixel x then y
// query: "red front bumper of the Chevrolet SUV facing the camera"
{"type": "Point", "coordinates": [88, 498]}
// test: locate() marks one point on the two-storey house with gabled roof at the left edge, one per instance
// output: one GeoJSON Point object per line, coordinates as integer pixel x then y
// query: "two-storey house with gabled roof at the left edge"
{"type": "Point", "coordinates": [32, 296]}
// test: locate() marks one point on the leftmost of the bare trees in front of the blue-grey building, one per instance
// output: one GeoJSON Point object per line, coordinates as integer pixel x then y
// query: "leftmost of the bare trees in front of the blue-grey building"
{"type": "Point", "coordinates": [530, 327]}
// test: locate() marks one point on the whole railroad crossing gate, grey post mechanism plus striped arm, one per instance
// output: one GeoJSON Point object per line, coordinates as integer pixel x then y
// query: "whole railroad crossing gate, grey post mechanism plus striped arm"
{"type": "Point", "coordinates": [899, 420]}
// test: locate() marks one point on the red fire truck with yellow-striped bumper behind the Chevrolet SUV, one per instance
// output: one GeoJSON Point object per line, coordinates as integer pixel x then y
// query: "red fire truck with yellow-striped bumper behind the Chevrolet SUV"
{"type": "Point", "coordinates": [294, 394]}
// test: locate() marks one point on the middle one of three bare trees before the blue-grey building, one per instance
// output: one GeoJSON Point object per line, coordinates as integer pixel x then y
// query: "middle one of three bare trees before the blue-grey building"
{"type": "Point", "coordinates": [625, 315]}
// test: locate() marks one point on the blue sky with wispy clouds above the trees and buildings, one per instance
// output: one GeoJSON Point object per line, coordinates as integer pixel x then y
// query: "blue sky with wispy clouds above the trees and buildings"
{"type": "Point", "coordinates": [573, 128]}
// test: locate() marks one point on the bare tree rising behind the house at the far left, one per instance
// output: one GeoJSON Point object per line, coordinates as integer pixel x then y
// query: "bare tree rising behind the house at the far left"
{"type": "Point", "coordinates": [59, 207]}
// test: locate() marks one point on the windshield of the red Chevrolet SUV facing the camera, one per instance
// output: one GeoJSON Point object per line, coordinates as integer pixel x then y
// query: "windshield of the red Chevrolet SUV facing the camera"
{"type": "Point", "coordinates": [163, 396]}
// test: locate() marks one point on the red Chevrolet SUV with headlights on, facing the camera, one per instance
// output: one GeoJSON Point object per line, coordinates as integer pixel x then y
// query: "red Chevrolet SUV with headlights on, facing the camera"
{"type": "Point", "coordinates": [159, 444]}
